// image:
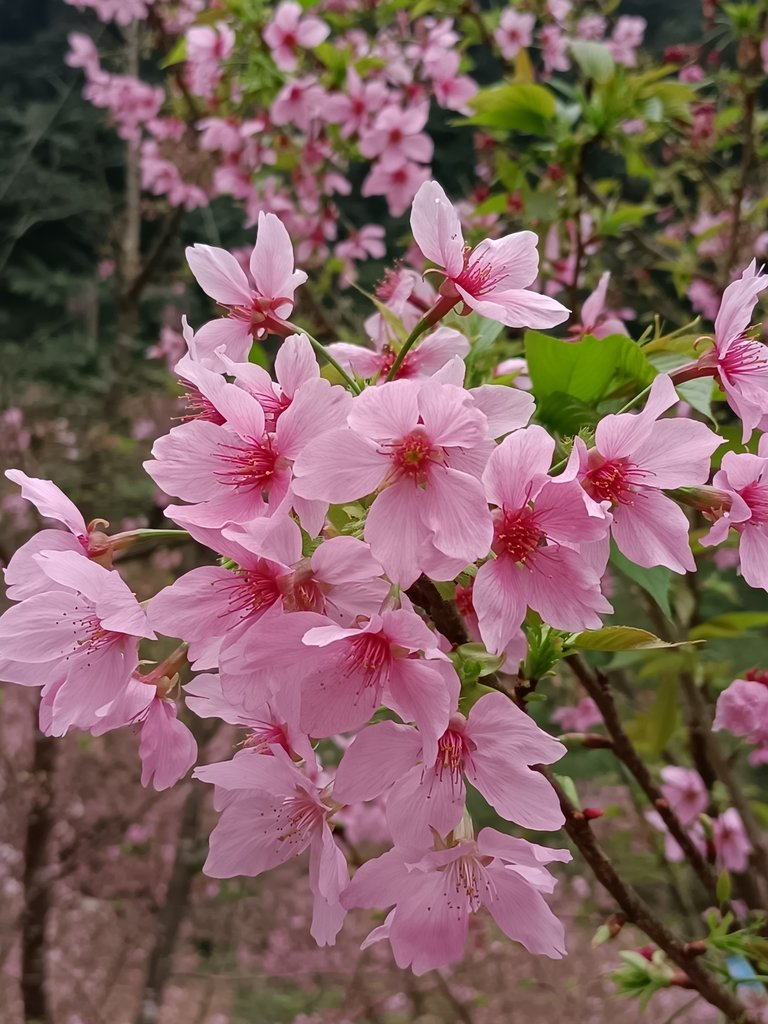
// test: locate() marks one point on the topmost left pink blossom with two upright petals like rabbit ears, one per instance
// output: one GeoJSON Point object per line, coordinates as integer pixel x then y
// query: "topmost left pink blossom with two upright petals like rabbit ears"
{"type": "Point", "coordinates": [252, 309]}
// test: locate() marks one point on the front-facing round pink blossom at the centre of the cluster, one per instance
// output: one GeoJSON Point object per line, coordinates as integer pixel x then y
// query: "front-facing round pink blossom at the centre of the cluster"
{"type": "Point", "coordinates": [411, 442]}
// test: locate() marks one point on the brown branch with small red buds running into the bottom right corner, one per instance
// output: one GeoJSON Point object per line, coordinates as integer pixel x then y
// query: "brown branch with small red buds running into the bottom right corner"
{"type": "Point", "coordinates": [639, 914]}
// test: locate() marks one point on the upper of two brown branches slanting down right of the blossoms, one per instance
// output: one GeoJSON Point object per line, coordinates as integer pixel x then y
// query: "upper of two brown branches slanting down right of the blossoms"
{"type": "Point", "coordinates": [598, 687]}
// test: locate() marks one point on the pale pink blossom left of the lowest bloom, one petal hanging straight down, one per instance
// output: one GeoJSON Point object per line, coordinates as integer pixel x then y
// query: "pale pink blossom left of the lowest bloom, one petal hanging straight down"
{"type": "Point", "coordinates": [273, 814]}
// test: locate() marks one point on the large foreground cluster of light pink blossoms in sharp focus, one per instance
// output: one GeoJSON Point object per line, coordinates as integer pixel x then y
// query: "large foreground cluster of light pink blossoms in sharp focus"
{"type": "Point", "coordinates": [333, 507]}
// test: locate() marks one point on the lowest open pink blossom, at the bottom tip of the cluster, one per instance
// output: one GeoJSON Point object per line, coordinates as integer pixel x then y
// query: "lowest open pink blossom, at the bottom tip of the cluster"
{"type": "Point", "coordinates": [436, 892]}
